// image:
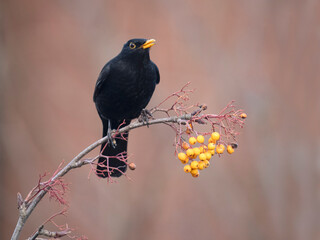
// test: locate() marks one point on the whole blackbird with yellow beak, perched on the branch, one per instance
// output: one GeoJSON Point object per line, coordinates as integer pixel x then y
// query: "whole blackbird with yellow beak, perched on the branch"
{"type": "Point", "coordinates": [123, 89]}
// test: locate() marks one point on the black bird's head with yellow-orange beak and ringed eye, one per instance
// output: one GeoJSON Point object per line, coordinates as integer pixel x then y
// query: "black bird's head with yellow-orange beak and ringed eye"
{"type": "Point", "coordinates": [138, 47]}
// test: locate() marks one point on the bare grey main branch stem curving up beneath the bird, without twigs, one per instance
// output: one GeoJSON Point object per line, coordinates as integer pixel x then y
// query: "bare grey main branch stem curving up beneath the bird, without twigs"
{"type": "Point", "coordinates": [26, 208]}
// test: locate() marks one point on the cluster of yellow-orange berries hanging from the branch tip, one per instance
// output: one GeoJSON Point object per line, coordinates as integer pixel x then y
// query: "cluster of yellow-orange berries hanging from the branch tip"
{"type": "Point", "coordinates": [204, 152]}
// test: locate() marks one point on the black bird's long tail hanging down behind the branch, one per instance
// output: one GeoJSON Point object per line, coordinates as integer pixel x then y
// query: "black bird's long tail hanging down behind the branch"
{"type": "Point", "coordinates": [113, 163]}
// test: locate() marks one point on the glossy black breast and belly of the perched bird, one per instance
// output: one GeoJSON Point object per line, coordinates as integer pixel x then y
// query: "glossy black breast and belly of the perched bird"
{"type": "Point", "coordinates": [127, 92]}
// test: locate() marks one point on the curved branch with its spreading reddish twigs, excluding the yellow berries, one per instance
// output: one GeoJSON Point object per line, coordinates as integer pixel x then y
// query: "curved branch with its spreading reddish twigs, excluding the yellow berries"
{"type": "Point", "coordinates": [180, 116]}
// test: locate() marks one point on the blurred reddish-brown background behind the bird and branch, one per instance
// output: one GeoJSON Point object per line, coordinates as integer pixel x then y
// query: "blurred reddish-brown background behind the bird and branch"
{"type": "Point", "coordinates": [263, 54]}
